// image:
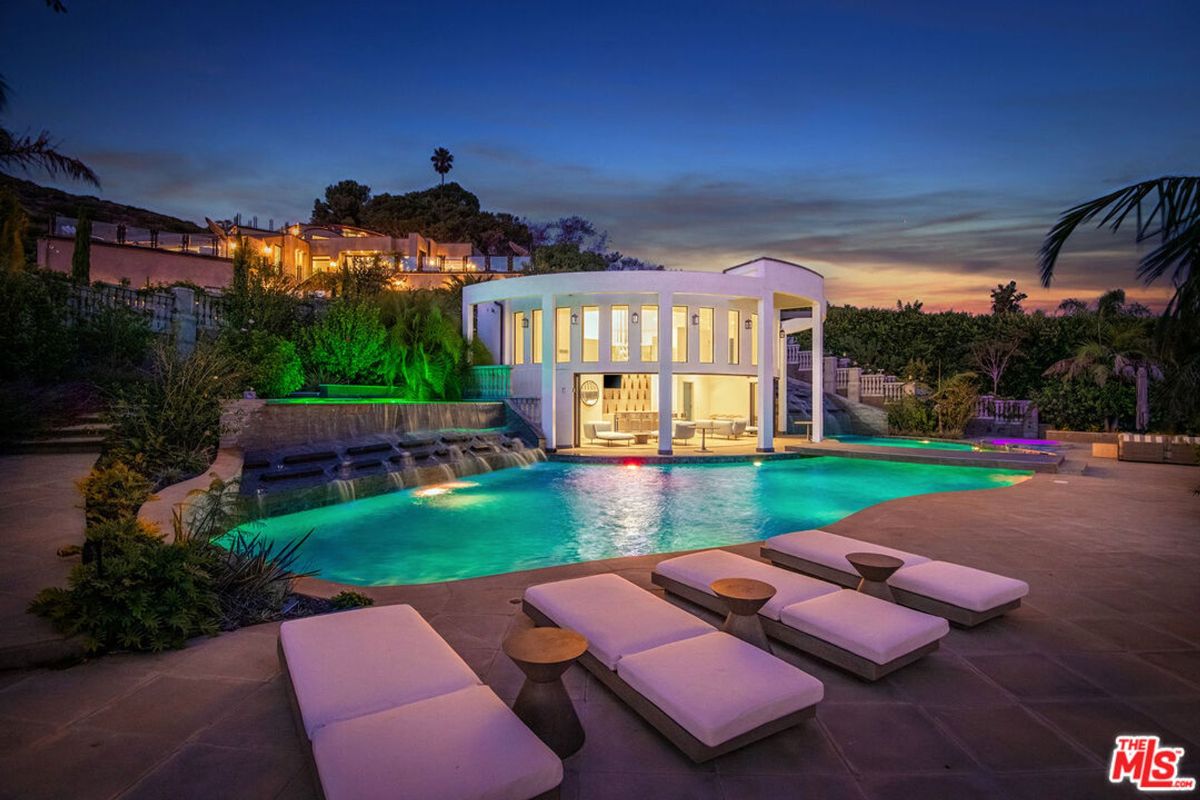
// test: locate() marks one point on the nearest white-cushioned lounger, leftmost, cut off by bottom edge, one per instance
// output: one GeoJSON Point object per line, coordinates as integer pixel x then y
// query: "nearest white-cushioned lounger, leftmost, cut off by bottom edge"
{"type": "Point", "coordinates": [392, 712]}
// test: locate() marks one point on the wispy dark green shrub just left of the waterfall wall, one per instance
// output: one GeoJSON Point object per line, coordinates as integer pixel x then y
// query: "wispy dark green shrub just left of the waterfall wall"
{"type": "Point", "coordinates": [167, 425]}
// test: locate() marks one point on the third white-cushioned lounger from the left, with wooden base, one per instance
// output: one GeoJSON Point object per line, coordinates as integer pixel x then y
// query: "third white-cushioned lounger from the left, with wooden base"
{"type": "Point", "coordinates": [863, 635]}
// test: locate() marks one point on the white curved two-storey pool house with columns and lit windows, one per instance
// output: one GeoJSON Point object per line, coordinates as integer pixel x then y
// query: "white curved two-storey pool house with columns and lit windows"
{"type": "Point", "coordinates": [611, 359]}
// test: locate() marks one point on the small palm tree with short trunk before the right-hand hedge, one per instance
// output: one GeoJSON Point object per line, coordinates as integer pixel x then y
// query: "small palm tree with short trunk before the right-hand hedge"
{"type": "Point", "coordinates": [1121, 351]}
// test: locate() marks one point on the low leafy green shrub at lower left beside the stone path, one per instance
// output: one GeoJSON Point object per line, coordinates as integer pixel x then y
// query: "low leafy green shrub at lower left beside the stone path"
{"type": "Point", "coordinates": [140, 594]}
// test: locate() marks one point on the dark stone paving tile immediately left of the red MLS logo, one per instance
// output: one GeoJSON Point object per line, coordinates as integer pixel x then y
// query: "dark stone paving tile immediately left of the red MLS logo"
{"type": "Point", "coordinates": [1010, 738]}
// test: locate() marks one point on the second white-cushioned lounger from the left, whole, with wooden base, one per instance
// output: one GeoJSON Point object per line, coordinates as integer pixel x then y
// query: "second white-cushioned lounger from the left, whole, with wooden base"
{"type": "Point", "coordinates": [706, 691]}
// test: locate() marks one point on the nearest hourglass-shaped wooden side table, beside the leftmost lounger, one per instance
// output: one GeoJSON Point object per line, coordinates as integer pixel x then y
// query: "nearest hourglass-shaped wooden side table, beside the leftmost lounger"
{"type": "Point", "coordinates": [544, 654]}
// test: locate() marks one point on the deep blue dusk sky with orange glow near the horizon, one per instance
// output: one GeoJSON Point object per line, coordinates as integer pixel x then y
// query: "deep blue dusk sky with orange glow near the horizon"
{"type": "Point", "coordinates": [905, 151]}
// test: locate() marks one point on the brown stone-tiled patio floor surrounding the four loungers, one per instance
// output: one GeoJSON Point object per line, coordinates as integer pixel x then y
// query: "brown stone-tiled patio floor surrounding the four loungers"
{"type": "Point", "coordinates": [1024, 707]}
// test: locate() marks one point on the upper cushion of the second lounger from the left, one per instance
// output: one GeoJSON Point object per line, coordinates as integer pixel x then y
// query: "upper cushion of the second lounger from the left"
{"type": "Point", "coordinates": [617, 617]}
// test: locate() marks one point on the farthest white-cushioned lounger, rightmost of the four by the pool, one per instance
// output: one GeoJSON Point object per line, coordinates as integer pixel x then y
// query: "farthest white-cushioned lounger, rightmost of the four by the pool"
{"type": "Point", "coordinates": [964, 596]}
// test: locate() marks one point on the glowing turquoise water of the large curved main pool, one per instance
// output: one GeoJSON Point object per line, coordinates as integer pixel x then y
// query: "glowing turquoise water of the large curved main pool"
{"type": "Point", "coordinates": [561, 514]}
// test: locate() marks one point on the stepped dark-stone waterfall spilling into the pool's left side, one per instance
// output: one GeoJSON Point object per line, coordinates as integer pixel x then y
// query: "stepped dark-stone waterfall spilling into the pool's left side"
{"type": "Point", "coordinates": [303, 458]}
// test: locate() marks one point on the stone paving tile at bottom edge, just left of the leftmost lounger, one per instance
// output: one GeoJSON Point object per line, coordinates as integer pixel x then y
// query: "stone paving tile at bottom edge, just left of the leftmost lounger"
{"type": "Point", "coordinates": [203, 772]}
